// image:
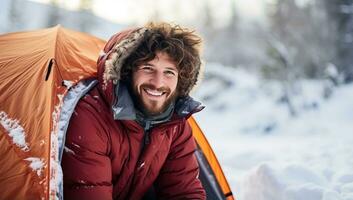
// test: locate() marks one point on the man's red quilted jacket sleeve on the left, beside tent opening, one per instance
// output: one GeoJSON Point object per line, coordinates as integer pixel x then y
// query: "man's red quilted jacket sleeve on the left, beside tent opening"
{"type": "Point", "coordinates": [86, 164]}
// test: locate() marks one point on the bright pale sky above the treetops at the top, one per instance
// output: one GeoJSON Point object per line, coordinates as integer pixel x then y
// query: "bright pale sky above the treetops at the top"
{"type": "Point", "coordinates": [140, 11]}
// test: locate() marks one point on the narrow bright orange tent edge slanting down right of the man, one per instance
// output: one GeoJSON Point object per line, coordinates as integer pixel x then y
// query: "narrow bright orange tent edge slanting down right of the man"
{"type": "Point", "coordinates": [211, 158]}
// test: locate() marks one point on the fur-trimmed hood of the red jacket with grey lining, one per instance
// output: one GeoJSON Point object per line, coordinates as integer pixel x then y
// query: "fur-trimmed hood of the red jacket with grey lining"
{"type": "Point", "coordinates": [110, 64]}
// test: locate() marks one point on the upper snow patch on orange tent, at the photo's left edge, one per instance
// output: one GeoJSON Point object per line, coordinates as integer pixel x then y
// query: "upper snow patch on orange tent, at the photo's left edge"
{"type": "Point", "coordinates": [15, 131]}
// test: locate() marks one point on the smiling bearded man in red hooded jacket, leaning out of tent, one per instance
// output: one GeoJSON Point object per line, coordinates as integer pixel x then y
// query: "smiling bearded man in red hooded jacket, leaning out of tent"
{"type": "Point", "coordinates": [129, 137]}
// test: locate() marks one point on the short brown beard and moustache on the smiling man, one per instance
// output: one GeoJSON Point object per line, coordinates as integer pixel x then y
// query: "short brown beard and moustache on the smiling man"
{"type": "Point", "coordinates": [152, 107]}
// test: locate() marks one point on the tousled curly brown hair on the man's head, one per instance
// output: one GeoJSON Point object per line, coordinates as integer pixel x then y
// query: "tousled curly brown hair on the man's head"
{"type": "Point", "coordinates": [180, 44]}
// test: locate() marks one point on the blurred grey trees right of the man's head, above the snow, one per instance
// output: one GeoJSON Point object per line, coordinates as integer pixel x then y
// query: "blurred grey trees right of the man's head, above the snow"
{"type": "Point", "coordinates": [295, 41]}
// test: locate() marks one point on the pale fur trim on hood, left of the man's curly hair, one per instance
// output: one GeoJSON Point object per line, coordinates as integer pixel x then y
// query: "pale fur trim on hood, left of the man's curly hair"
{"type": "Point", "coordinates": [120, 52]}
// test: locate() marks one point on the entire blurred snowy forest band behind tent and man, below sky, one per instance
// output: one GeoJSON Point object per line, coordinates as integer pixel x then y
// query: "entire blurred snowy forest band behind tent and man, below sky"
{"type": "Point", "coordinates": [293, 40]}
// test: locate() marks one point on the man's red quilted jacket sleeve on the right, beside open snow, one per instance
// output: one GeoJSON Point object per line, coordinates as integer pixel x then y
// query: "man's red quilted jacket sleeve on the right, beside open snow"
{"type": "Point", "coordinates": [178, 177]}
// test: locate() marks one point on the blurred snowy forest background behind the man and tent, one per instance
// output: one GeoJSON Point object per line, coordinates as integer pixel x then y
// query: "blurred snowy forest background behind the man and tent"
{"type": "Point", "coordinates": [277, 87]}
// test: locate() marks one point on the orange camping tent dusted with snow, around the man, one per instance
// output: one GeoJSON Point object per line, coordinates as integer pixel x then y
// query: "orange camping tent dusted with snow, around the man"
{"type": "Point", "coordinates": [37, 70]}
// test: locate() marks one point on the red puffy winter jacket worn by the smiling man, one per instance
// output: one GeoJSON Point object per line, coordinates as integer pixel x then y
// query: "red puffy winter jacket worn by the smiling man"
{"type": "Point", "coordinates": [106, 158]}
